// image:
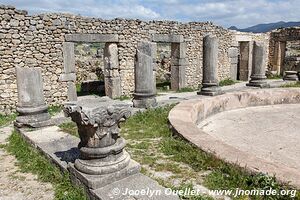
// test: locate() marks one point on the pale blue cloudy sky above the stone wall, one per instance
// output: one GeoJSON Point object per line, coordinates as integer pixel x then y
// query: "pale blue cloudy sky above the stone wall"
{"type": "Point", "coordinates": [241, 13]}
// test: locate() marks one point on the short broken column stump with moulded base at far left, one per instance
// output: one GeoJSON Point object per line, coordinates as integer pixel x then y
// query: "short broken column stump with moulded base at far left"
{"type": "Point", "coordinates": [31, 105]}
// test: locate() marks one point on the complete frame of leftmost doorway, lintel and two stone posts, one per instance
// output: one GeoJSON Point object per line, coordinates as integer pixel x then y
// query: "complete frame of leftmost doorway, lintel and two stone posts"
{"type": "Point", "coordinates": [111, 63]}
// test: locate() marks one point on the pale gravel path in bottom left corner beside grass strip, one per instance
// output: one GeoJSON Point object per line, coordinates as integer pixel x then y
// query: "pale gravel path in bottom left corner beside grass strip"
{"type": "Point", "coordinates": [15, 185]}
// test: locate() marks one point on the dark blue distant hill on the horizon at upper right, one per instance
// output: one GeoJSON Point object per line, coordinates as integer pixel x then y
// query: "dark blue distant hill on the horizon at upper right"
{"type": "Point", "coordinates": [262, 28]}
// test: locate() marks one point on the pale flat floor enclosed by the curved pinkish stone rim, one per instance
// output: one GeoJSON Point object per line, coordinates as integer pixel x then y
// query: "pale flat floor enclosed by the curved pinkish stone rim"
{"type": "Point", "coordinates": [268, 132]}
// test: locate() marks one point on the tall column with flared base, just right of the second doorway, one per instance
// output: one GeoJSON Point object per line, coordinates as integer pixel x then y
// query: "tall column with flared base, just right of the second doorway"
{"type": "Point", "coordinates": [210, 85]}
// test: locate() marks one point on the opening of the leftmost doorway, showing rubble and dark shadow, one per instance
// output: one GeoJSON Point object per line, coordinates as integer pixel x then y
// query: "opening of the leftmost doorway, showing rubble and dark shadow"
{"type": "Point", "coordinates": [89, 65]}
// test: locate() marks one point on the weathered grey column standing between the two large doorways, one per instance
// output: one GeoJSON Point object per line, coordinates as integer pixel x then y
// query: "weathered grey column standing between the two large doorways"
{"type": "Point", "coordinates": [144, 95]}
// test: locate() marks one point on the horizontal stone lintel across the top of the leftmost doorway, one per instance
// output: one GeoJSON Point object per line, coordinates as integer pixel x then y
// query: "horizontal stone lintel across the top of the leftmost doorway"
{"type": "Point", "coordinates": [92, 38]}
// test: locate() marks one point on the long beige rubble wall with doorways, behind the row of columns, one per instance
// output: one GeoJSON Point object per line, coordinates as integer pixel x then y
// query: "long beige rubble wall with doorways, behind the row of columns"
{"type": "Point", "coordinates": [37, 41]}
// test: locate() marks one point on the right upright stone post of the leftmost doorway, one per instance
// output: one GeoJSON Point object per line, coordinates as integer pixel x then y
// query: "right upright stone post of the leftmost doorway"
{"type": "Point", "coordinates": [111, 71]}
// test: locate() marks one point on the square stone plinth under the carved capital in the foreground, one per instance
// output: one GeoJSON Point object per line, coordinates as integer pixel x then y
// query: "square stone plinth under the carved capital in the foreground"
{"type": "Point", "coordinates": [98, 181]}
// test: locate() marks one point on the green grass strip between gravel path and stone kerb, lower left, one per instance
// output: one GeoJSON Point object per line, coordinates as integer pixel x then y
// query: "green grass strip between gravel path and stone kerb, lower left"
{"type": "Point", "coordinates": [31, 161]}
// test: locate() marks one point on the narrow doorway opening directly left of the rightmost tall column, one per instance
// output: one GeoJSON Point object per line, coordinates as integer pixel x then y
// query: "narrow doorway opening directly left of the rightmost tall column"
{"type": "Point", "coordinates": [243, 61]}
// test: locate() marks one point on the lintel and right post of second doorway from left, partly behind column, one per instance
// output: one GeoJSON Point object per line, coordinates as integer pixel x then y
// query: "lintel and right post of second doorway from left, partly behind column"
{"type": "Point", "coordinates": [179, 61]}
